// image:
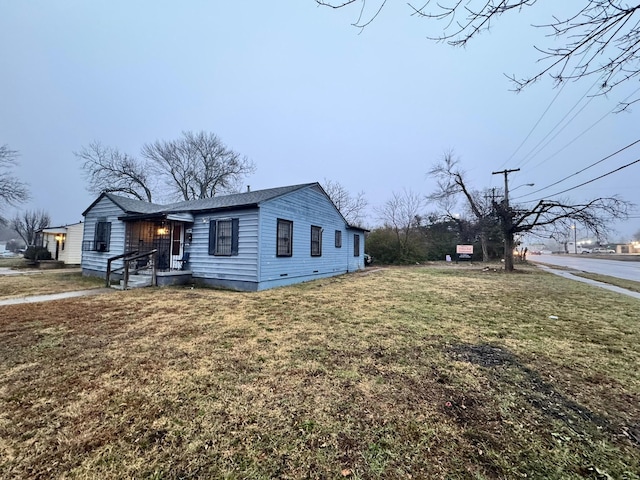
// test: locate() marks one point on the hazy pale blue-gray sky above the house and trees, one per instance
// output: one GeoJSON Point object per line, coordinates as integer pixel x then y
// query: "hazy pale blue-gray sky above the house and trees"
{"type": "Point", "coordinates": [303, 94]}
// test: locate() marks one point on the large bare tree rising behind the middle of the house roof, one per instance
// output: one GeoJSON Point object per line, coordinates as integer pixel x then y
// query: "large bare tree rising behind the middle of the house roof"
{"type": "Point", "coordinates": [197, 165]}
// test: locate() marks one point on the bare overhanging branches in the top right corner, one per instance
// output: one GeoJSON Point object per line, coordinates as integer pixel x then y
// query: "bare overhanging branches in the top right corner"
{"type": "Point", "coordinates": [598, 38]}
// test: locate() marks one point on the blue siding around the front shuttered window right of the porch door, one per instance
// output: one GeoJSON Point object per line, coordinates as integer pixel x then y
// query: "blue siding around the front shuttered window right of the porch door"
{"type": "Point", "coordinates": [242, 267]}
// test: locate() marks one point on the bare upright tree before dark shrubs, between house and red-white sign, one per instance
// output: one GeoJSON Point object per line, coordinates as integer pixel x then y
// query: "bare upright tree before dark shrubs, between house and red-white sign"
{"type": "Point", "coordinates": [402, 213]}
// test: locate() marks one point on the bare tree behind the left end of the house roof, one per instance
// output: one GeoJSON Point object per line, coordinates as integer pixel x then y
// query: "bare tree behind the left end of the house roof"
{"type": "Point", "coordinates": [109, 170]}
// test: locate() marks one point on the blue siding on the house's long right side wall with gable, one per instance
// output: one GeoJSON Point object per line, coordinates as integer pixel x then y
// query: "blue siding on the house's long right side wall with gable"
{"type": "Point", "coordinates": [304, 208]}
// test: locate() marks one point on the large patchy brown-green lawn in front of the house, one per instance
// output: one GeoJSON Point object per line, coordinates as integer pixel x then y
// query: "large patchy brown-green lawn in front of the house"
{"type": "Point", "coordinates": [429, 372]}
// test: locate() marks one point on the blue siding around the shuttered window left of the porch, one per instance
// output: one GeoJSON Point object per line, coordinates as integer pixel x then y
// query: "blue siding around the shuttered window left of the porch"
{"type": "Point", "coordinates": [104, 210]}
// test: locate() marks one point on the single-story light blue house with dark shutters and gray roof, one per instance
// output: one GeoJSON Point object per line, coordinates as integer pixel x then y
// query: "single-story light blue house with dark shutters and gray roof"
{"type": "Point", "coordinates": [246, 241]}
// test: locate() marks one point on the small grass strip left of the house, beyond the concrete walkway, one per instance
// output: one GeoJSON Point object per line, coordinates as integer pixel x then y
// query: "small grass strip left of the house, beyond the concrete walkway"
{"type": "Point", "coordinates": [42, 282]}
